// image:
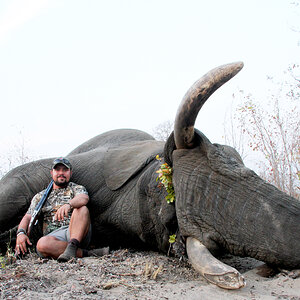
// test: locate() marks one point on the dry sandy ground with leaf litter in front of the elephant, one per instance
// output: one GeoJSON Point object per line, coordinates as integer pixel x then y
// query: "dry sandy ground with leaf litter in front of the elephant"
{"type": "Point", "coordinates": [126, 274]}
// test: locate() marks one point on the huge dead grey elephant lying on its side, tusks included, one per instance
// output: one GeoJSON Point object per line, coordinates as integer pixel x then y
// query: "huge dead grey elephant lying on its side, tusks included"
{"type": "Point", "coordinates": [220, 205]}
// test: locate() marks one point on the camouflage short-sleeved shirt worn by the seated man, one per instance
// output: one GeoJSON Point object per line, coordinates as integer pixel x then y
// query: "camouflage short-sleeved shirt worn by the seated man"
{"type": "Point", "coordinates": [55, 200]}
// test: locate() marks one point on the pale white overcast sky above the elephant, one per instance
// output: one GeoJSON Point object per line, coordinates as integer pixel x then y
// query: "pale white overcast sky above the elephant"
{"type": "Point", "coordinates": [71, 69]}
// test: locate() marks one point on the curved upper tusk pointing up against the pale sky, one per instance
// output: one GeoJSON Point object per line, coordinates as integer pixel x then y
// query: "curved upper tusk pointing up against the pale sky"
{"type": "Point", "coordinates": [194, 100]}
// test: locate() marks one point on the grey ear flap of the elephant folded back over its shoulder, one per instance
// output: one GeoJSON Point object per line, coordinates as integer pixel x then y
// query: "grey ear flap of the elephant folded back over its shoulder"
{"type": "Point", "coordinates": [124, 162]}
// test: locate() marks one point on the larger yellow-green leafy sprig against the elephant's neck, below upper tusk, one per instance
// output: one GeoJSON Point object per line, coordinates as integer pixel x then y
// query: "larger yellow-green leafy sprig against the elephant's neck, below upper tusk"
{"type": "Point", "coordinates": [165, 176]}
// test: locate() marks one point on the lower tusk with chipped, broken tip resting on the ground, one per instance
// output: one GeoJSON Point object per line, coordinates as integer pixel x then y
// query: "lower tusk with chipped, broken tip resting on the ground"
{"type": "Point", "coordinates": [211, 268]}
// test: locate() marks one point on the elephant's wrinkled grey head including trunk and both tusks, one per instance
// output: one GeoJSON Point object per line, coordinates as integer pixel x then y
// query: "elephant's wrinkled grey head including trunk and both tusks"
{"type": "Point", "coordinates": [221, 204]}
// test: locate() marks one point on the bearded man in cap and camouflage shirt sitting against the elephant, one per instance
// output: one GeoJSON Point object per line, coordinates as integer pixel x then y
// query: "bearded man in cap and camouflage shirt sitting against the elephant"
{"type": "Point", "coordinates": [66, 219]}
